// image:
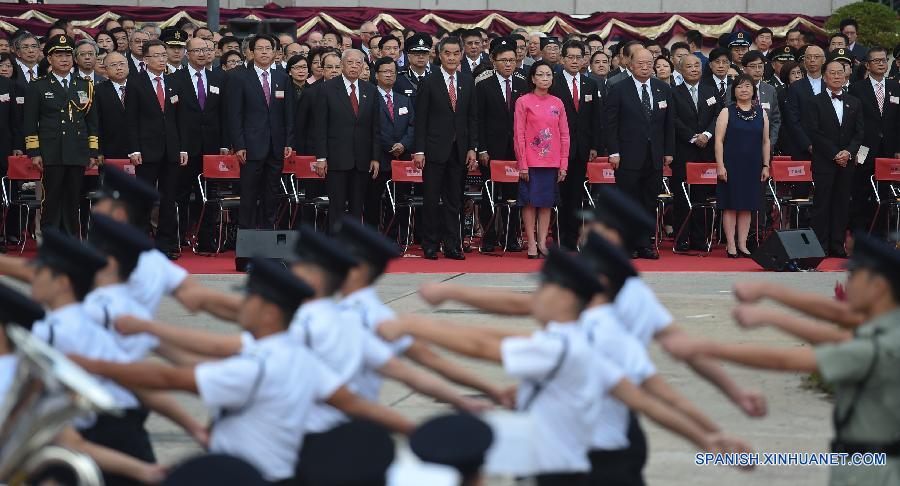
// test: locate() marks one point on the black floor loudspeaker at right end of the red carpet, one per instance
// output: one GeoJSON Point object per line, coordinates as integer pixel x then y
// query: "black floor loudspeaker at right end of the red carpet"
{"type": "Point", "coordinates": [790, 250]}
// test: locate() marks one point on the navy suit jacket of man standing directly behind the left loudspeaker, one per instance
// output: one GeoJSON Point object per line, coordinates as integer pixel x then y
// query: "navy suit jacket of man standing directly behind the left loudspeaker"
{"type": "Point", "coordinates": [260, 129]}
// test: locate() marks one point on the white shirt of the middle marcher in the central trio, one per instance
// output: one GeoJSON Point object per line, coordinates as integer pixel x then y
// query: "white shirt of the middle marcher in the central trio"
{"type": "Point", "coordinates": [337, 337]}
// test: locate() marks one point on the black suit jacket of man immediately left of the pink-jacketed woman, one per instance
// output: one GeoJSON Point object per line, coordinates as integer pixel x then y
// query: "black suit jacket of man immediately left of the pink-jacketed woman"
{"type": "Point", "coordinates": [495, 116]}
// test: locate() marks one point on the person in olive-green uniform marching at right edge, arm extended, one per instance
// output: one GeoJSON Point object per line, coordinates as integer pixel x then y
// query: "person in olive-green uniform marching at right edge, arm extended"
{"type": "Point", "coordinates": [863, 367]}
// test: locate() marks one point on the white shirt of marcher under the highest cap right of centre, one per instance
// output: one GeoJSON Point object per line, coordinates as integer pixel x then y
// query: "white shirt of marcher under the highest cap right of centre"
{"type": "Point", "coordinates": [639, 311]}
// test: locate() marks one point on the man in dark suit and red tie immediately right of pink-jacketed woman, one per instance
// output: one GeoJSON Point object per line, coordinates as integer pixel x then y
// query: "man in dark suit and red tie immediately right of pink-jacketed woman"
{"type": "Point", "coordinates": [584, 113]}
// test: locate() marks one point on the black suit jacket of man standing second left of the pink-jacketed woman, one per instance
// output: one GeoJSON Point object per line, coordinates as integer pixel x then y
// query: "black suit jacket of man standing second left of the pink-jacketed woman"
{"type": "Point", "coordinates": [437, 125]}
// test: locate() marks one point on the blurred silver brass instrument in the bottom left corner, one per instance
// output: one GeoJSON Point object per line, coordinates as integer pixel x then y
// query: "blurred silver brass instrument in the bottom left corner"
{"type": "Point", "coordinates": [47, 393]}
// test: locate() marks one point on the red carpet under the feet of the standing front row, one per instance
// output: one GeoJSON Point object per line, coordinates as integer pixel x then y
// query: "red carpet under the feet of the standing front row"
{"type": "Point", "coordinates": [517, 263]}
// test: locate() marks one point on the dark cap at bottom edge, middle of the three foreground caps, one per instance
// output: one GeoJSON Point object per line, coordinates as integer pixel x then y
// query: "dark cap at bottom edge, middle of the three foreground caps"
{"type": "Point", "coordinates": [366, 447]}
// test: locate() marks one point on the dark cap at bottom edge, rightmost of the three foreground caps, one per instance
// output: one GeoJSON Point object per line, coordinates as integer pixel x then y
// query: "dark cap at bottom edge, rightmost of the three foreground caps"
{"type": "Point", "coordinates": [459, 440]}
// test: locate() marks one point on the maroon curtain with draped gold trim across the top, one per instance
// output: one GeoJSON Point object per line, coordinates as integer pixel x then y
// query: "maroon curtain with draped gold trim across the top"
{"type": "Point", "coordinates": [609, 25]}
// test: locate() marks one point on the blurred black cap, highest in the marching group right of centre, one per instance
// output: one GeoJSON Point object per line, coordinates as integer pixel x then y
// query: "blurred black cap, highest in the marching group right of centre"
{"type": "Point", "coordinates": [618, 211]}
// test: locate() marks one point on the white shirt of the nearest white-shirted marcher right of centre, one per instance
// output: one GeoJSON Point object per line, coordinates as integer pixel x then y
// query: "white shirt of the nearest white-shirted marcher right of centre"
{"type": "Point", "coordinates": [566, 409]}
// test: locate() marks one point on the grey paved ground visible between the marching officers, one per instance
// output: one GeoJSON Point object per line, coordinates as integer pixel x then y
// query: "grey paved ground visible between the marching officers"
{"type": "Point", "coordinates": [799, 418]}
